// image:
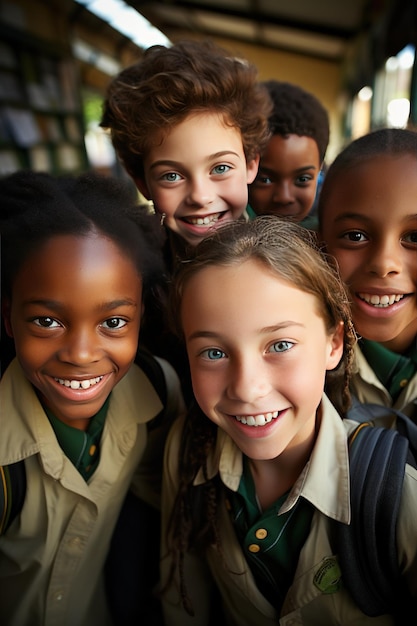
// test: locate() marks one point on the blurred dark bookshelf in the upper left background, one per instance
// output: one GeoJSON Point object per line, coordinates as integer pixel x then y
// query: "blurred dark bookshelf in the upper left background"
{"type": "Point", "coordinates": [41, 119]}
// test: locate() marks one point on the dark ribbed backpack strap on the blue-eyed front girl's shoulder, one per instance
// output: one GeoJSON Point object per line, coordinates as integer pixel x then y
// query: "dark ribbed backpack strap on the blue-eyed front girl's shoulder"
{"type": "Point", "coordinates": [367, 547]}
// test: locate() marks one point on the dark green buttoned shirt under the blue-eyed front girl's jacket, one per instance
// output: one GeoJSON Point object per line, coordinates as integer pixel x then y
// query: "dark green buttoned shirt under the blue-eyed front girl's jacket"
{"type": "Point", "coordinates": [271, 542]}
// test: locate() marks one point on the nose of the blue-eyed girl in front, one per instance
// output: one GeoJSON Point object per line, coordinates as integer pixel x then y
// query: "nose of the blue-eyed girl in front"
{"type": "Point", "coordinates": [248, 381]}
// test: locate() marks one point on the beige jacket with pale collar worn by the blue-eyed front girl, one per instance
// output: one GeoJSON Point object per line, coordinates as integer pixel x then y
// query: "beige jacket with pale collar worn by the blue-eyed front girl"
{"type": "Point", "coordinates": [316, 596]}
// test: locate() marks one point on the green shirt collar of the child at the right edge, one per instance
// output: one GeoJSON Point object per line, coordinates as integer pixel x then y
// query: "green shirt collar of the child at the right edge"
{"type": "Point", "coordinates": [392, 369]}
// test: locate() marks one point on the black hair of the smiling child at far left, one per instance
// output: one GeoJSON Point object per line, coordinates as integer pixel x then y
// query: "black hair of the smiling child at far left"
{"type": "Point", "coordinates": [36, 207]}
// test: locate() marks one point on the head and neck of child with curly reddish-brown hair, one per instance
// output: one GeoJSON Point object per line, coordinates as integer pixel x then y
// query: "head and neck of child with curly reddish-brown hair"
{"type": "Point", "coordinates": [188, 123]}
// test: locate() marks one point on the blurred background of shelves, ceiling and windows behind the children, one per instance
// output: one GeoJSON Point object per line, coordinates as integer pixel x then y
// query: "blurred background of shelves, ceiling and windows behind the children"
{"type": "Point", "coordinates": [58, 56]}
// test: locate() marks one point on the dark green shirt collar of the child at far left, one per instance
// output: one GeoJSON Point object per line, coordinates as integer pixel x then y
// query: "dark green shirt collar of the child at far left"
{"type": "Point", "coordinates": [81, 447]}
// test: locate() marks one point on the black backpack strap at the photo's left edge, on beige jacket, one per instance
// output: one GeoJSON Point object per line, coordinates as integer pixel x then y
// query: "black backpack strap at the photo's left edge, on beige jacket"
{"type": "Point", "coordinates": [12, 493]}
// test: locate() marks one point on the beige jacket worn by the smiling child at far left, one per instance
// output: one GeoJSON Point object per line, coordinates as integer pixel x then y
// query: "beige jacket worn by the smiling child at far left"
{"type": "Point", "coordinates": [52, 556]}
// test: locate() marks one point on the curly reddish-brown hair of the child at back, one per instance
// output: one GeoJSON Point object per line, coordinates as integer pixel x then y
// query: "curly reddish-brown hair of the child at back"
{"type": "Point", "coordinates": [167, 84]}
